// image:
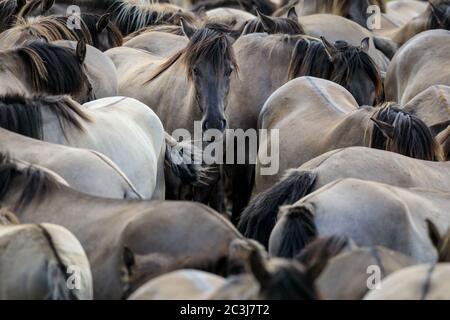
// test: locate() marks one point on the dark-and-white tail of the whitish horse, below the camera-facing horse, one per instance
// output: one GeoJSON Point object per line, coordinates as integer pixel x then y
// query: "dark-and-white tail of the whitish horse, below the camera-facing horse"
{"type": "Point", "coordinates": [181, 158]}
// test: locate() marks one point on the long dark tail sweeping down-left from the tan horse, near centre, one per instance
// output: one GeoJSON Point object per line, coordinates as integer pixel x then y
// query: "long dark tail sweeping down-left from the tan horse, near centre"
{"type": "Point", "coordinates": [259, 218]}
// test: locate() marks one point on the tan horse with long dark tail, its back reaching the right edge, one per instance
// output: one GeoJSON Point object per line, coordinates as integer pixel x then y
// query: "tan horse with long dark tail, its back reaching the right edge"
{"type": "Point", "coordinates": [363, 163]}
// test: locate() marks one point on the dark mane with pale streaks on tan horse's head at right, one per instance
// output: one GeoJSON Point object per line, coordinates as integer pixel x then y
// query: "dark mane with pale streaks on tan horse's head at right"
{"type": "Point", "coordinates": [411, 136]}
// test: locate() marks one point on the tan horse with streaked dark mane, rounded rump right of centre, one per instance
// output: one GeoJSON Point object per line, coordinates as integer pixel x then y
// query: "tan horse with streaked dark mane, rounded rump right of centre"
{"type": "Point", "coordinates": [307, 106]}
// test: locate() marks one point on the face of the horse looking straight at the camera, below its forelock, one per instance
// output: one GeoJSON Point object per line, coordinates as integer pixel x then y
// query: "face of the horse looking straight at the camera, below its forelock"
{"type": "Point", "coordinates": [212, 85]}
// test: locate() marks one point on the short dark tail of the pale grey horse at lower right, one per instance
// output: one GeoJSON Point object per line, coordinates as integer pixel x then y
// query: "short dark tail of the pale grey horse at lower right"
{"type": "Point", "coordinates": [298, 230]}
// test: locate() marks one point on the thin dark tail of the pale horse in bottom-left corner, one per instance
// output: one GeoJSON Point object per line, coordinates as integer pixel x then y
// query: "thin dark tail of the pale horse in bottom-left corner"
{"type": "Point", "coordinates": [57, 278]}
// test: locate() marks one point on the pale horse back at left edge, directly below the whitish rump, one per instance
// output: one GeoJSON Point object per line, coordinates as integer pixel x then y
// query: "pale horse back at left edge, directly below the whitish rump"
{"type": "Point", "coordinates": [84, 170]}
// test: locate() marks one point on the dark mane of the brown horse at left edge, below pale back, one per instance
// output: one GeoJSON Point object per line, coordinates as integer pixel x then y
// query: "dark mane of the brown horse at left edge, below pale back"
{"type": "Point", "coordinates": [36, 185]}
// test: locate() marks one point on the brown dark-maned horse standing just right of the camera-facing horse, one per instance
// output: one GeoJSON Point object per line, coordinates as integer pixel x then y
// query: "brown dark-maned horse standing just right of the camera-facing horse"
{"type": "Point", "coordinates": [282, 58]}
